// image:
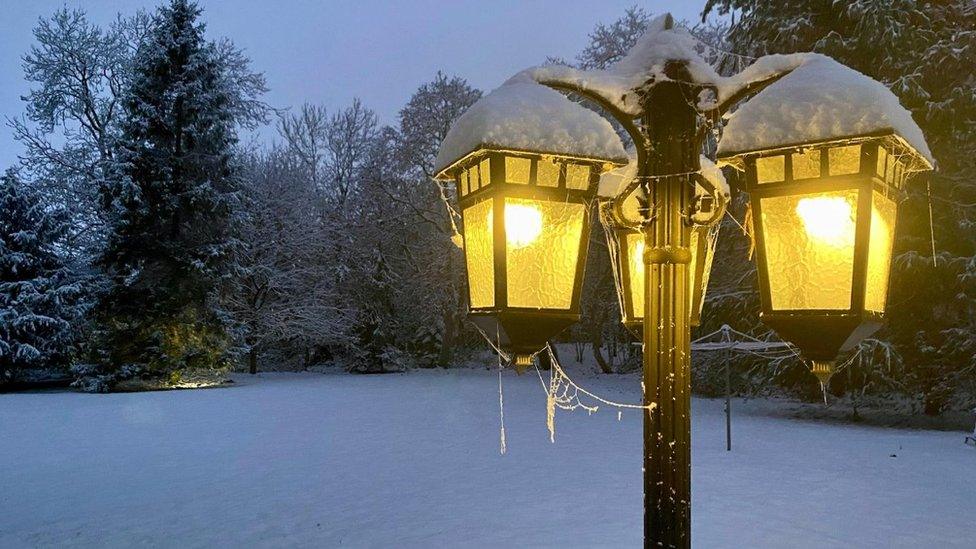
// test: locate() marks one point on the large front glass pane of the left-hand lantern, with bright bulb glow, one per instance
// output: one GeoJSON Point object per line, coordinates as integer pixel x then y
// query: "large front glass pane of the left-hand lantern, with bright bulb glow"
{"type": "Point", "coordinates": [542, 249]}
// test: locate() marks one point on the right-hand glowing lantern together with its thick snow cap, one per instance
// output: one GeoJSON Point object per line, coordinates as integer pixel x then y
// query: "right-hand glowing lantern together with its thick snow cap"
{"type": "Point", "coordinates": [824, 178]}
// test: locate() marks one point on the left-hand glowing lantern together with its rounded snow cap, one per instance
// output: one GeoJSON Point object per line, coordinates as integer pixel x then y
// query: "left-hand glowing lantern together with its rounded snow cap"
{"type": "Point", "coordinates": [529, 152]}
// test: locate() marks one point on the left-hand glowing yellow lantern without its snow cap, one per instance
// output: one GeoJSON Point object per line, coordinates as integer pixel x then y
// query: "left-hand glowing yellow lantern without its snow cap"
{"type": "Point", "coordinates": [525, 266]}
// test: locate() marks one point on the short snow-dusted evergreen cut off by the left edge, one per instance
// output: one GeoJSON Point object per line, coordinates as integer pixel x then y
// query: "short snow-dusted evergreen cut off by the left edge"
{"type": "Point", "coordinates": [38, 296]}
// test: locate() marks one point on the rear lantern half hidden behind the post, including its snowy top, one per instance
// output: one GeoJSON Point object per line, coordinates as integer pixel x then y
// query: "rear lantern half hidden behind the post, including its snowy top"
{"type": "Point", "coordinates": [623, 215]}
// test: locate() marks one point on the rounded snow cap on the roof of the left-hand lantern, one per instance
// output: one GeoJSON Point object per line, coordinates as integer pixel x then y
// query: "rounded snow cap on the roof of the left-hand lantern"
{"type": "Point", "coordinates": [523, 115]}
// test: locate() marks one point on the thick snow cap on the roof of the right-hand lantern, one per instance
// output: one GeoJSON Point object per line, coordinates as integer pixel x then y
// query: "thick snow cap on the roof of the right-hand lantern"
{"type": "Point", "coordinates": [819, 101]}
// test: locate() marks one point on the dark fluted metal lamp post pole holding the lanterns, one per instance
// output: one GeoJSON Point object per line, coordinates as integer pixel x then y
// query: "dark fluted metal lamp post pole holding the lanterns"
{"type": "Point", "coordinates": [671, 155]}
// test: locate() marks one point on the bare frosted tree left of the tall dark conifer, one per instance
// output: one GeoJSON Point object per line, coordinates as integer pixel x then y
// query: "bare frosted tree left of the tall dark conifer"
{"type": "Point", "coordinates": [79, 72]}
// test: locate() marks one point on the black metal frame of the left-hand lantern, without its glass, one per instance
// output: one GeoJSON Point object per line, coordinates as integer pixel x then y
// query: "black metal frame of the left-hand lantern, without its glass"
{"type": "Point", "coordinates": [523, 331]}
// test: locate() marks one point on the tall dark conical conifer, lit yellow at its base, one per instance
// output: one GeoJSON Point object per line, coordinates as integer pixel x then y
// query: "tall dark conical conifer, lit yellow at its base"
{"type": "Point", "coordinates": [172, 197]}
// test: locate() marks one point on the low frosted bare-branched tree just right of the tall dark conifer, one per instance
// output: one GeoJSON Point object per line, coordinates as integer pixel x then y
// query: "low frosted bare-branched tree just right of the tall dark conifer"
{"type": "Point", "coordinates": [283, 293]}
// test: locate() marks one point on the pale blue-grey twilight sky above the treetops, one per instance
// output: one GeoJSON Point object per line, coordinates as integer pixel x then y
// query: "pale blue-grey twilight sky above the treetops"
{"type": "Point", "coordinates": [330, 51]}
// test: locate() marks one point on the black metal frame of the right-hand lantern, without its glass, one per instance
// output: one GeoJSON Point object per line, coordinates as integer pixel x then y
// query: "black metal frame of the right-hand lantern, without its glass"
{"type": "Point", "coordinates": [822, 334]}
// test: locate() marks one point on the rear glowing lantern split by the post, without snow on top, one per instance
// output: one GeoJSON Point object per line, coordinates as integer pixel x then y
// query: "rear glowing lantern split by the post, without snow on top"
{"type": "Point", "coordinates": [623, 219]}
